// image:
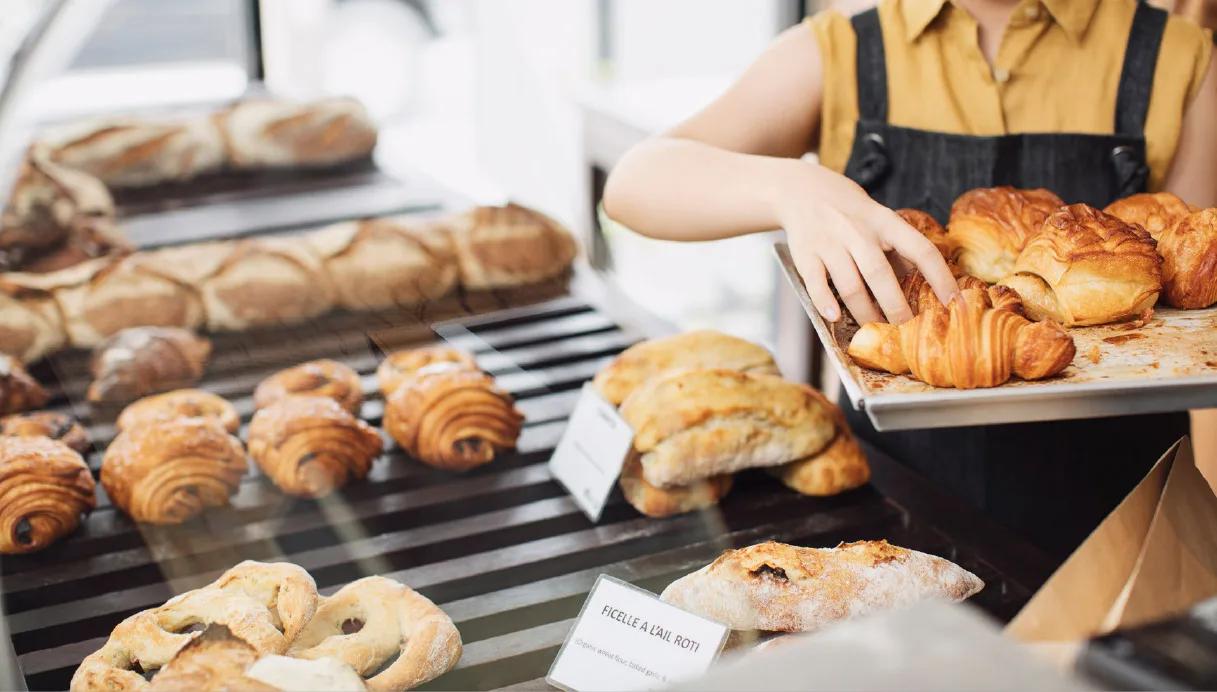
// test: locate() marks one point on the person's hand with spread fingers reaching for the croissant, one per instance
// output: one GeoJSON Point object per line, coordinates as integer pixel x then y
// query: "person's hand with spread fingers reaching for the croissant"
{"type": "Point", "coordinates": [838, 233]}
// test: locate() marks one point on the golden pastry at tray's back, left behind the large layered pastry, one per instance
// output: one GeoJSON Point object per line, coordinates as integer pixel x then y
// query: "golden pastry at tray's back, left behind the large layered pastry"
{"type": "Point", "coordinates": [991, 227]}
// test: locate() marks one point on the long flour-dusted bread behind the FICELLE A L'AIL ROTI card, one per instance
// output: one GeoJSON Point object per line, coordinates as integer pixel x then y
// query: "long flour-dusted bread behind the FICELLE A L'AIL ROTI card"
{"type": "Point", "coordinates": [790, 589]}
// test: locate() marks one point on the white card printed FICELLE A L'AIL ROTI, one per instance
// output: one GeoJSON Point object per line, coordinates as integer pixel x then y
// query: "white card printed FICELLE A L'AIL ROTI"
{"type": "Point", "coordinates": [627, 639]}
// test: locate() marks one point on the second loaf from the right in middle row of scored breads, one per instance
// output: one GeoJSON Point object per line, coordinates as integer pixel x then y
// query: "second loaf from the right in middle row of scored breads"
{"type": "Point", "coordinates": [386, 263]}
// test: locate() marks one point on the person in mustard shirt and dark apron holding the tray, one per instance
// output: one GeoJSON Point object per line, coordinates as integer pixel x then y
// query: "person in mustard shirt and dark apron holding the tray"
{"type": "Point", "coordinates": [910, 105]}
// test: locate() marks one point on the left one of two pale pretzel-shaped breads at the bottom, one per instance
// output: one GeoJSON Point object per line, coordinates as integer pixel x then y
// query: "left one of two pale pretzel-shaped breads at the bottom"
{"type": "Point", "coordinates": [266, 605]}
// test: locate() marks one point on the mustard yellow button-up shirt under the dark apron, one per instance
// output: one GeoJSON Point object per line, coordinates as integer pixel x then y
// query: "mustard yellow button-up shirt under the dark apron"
{"type": "Point", "coordinates": [1057, 71]}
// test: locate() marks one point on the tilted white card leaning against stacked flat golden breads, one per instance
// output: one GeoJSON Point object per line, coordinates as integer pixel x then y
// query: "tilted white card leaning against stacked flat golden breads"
{"type": "Point", "coordinates": [593, 449]}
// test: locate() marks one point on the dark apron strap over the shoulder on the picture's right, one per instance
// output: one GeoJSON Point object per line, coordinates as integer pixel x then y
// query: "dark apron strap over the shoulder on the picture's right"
{"type": "Point", "coordinates": [1141, 60]}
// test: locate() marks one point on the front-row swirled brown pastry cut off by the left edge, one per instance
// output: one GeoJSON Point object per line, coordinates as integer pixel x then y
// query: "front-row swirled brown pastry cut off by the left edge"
{"type": "Point", "coordinates": [46, 488]}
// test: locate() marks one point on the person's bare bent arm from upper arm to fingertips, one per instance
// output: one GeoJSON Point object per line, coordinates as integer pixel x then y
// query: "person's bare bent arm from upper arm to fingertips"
{"type": "Point", "coordinates": [734, 170]}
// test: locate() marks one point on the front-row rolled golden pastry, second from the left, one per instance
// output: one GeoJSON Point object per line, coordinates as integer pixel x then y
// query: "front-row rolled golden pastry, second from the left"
{"type": "Point", "coordinates": [171, 472]}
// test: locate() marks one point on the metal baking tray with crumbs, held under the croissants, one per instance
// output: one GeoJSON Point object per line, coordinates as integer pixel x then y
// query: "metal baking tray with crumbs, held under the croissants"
{"type": "Point", "coordinates": [1169, 364]}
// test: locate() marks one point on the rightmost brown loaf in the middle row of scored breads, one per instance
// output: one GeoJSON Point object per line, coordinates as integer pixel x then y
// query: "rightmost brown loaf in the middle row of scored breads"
{"type": "Point", "coordinates": [511, 246]}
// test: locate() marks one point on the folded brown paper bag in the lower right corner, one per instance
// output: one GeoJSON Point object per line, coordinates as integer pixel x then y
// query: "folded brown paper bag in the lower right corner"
{"type": "Point", "coordinates": [1154, 556]}
